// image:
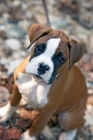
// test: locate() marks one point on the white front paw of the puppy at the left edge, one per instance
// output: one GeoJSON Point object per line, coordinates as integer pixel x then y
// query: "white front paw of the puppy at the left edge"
{"type": "Point", "coordinates": [6, 112]}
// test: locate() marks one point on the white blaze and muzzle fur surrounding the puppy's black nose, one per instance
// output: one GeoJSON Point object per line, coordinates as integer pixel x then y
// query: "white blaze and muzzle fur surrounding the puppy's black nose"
{"type": "Point", "coordinates": [51, 47]}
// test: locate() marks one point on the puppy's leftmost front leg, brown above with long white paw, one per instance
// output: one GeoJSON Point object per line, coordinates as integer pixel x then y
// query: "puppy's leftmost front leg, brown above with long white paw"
{"type": "Point", "coordinates": [7, 111]}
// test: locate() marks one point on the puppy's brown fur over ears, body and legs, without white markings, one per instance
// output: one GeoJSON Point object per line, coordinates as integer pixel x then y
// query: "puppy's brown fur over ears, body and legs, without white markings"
{"type": "Point", "coordinates": [68, 93]}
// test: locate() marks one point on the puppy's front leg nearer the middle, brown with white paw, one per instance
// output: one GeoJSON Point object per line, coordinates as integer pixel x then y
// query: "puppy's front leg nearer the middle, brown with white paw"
{"type": "Point", "coordinates": [39, 124]}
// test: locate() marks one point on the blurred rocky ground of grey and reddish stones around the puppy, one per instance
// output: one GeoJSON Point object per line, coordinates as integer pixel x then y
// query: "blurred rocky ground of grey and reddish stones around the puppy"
{"type": "Point", "coordinates": [73, 17]}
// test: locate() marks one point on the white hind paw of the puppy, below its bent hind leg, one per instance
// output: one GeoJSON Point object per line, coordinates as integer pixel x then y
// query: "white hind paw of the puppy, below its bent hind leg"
{"type": "Point", "coordinates": [68, 135]}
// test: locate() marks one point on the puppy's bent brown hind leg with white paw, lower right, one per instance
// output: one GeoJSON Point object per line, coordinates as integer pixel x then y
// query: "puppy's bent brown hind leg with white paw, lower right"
{"type": "Point", "coordinates": [68, 121]}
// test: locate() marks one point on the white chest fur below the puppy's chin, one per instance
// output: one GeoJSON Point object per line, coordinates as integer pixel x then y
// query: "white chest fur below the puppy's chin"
{"type": "Point", "coordinates": [33, 91]}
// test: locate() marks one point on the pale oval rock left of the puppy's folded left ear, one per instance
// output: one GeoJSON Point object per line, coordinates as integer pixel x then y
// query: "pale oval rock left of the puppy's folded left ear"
{"type": "Point", "coordinates": [13, 44]}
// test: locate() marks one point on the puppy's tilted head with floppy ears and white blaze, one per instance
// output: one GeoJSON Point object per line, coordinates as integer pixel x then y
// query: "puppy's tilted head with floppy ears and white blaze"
{"type": "Point", "coordinates": [51, 51]}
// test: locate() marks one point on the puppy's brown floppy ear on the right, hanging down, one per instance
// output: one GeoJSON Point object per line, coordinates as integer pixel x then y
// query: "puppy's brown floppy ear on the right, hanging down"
{"type": "Point", "coordinates": [76, 51]}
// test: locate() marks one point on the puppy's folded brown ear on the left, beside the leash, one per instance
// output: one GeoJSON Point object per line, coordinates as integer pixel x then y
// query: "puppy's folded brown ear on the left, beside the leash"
{"type": "Point", "coordinates": [37, 31]}
